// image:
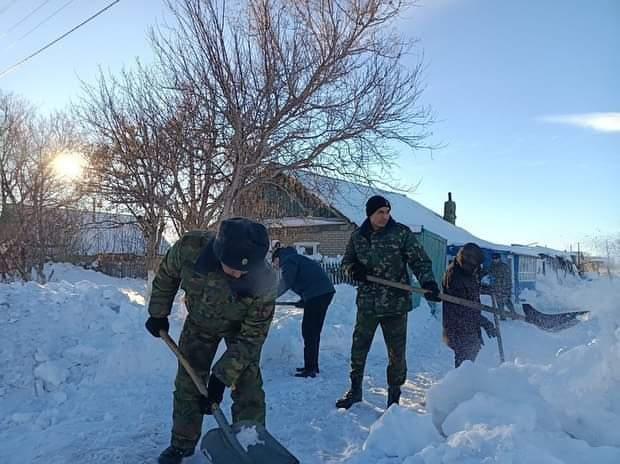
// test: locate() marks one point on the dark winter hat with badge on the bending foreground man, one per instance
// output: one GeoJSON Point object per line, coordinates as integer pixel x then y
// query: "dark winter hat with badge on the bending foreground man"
{"type": "Point", "coordinates": [241, 244]}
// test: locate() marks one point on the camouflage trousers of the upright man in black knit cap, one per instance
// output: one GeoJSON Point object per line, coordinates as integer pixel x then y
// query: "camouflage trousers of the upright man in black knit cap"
{"type": "Point", "coordinates": [395, 335]}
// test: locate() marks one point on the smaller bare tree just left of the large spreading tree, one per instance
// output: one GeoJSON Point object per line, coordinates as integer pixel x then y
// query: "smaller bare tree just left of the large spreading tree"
{"type": "Point", "coordinates": [130, 165]}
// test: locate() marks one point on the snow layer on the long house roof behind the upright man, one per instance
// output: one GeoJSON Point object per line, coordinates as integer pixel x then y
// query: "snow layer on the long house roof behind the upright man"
{"type": "Point", "coordinates": [350, 199]}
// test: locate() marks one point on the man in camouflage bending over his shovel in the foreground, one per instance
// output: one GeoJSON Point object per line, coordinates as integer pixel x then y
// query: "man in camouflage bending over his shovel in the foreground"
{"type": "Point", "coordinates": [230, 294]}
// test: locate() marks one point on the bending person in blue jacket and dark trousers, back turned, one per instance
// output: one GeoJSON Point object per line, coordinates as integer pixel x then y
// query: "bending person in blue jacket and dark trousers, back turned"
{"type": "Point", "coordinates": [308, 279]}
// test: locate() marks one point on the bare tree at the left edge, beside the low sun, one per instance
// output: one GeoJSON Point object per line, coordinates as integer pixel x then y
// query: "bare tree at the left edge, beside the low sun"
{"type": "Point", "coordinates": [37, 223]}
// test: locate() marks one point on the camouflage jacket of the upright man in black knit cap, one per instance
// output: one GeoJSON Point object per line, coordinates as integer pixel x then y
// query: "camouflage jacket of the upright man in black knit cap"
{"type": "Point", "coordinates": [386, 254]}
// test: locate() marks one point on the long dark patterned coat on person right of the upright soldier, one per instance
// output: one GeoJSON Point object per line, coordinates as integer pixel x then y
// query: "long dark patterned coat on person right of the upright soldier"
{"type": "Point", "coordinates": [461, 325]}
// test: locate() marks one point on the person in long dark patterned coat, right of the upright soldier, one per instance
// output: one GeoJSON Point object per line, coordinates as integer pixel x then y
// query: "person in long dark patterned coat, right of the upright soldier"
{"type": "Point", "coordinates": [461, 325]}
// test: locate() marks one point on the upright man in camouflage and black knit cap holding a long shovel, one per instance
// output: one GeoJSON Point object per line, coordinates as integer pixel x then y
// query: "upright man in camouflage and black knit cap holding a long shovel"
{"type": "Point", "coordinates": [383, 248]}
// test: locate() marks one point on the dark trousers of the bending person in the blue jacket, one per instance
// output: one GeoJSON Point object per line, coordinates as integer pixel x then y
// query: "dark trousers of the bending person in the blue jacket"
{"type": "Point", "coordinates": [311, 326]}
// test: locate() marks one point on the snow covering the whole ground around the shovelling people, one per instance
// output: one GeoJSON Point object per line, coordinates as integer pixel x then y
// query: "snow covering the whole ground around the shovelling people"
{"type": "Point", "coordinates": [81, 381]}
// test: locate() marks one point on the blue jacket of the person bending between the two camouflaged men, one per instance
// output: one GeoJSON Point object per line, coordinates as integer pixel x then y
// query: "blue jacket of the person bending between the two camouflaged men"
{"type": "Point", "coordinates": [302, 275]}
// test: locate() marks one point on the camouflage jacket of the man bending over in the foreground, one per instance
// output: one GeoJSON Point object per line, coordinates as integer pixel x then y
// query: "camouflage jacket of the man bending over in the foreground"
{"type": "Point", "coordinates": [239, 310]}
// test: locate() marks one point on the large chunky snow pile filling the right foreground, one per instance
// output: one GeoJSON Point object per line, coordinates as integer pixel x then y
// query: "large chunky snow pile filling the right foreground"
{"type": "Point", "coordinates": [563, 411]}
